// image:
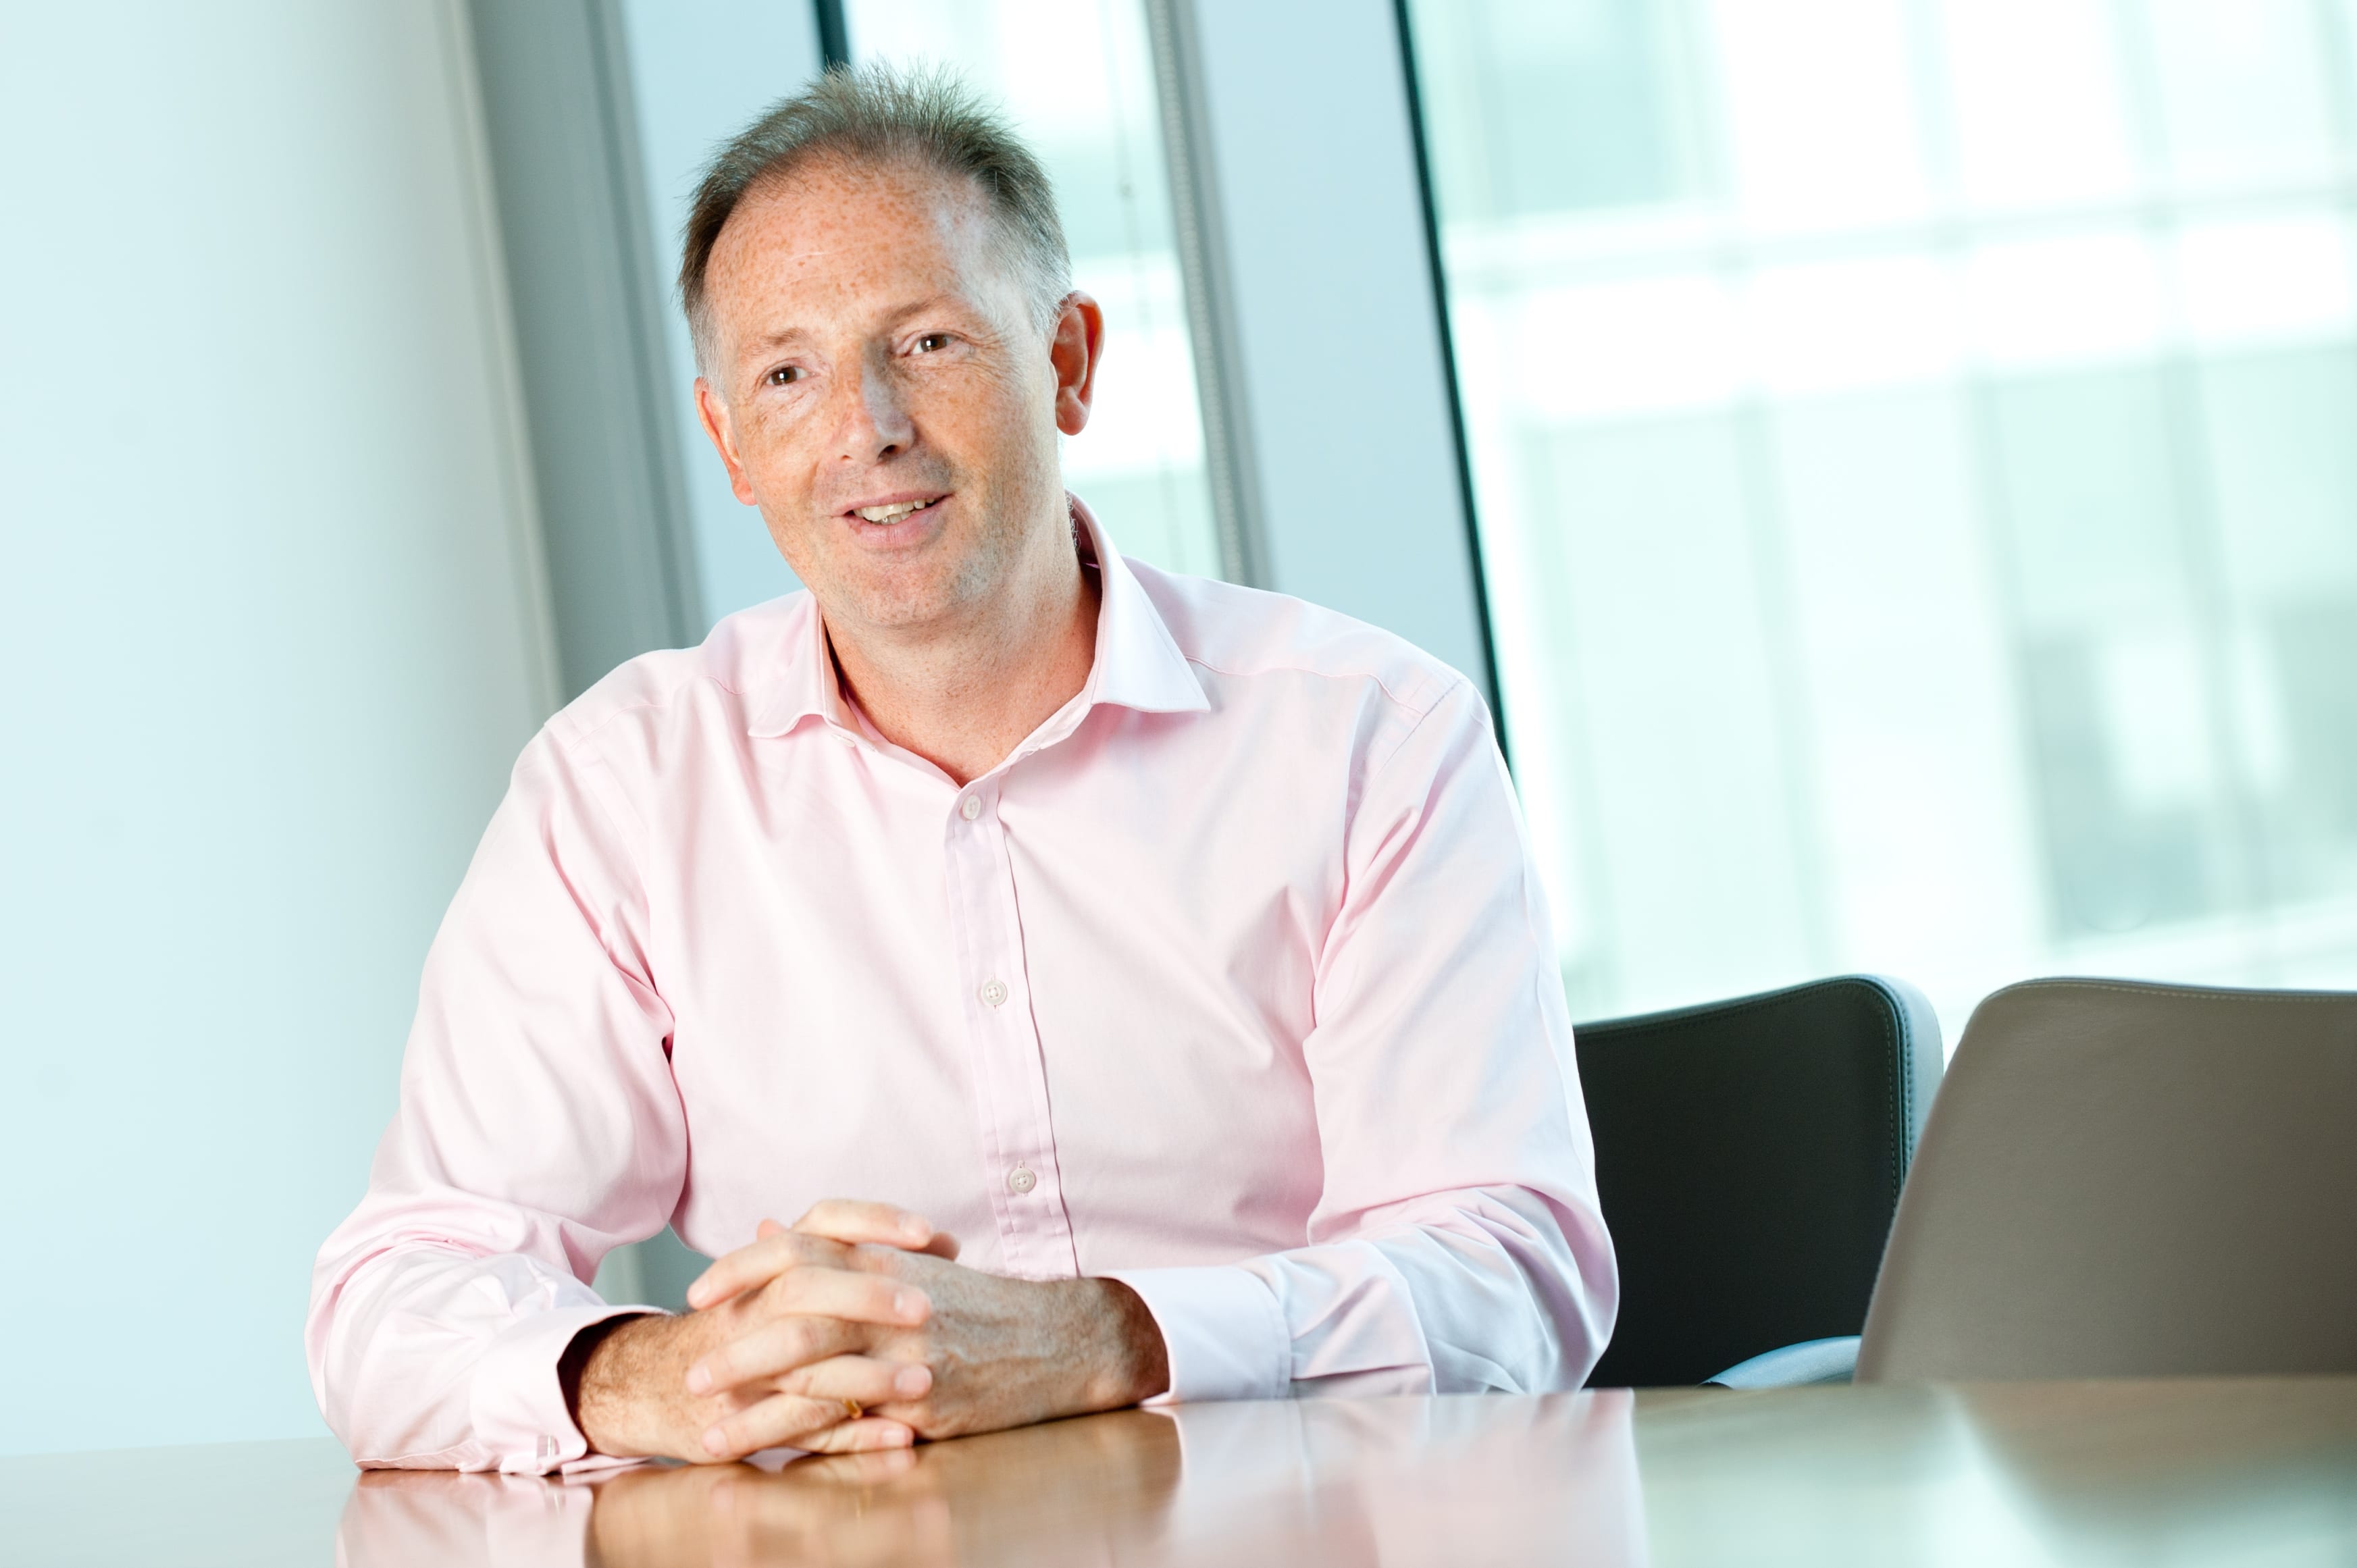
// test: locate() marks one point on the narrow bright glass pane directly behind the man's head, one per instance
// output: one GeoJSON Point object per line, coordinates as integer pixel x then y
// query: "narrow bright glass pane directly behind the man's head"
{"type": "Point", "coordinates": [1076, 79]}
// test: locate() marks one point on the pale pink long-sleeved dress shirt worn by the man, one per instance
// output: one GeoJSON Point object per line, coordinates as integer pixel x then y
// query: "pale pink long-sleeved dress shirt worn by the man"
{"type": "Point", "coordinates": [1234, 982]}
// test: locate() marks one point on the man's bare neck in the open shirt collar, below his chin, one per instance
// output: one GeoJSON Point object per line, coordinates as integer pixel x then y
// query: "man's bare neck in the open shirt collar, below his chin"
{"type": "Point", "coordinates": [965, 694]}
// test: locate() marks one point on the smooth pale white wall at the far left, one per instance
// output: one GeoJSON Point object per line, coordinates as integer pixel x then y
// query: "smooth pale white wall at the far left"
{"type": "Point", "coordinates": [270, 638]}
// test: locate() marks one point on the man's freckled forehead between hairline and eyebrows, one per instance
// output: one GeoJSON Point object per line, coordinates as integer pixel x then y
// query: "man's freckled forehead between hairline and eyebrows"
{"type": "Point", "coordinates": [836, 235]}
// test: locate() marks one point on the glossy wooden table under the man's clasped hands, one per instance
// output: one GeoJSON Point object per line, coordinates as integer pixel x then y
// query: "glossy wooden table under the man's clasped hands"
{"type": "Point", "coordinates": [2125, 1473]}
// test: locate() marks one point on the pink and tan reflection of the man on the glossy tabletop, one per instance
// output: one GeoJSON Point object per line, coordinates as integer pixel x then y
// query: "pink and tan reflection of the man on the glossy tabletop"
{"type": "Point", "coordinates": [1328, 1482]}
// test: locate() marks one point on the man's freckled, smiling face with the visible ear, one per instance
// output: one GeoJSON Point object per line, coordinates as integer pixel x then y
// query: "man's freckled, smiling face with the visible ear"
{"type": "Point", "coordinates": [883, 395]}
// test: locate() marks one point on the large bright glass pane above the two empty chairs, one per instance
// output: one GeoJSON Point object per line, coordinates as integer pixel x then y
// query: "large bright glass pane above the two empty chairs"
{"type": "Point", "coordinates": [1915, 470]}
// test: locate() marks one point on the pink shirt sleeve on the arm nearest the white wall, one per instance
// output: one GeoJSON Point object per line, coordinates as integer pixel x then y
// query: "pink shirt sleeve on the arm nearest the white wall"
{"type": "Point", "coordinates": [539, 1128]}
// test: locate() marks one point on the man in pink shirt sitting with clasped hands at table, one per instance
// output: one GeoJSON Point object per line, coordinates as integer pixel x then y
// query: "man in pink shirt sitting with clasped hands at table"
{"type": "Point", "coordinates": [1168, 942]}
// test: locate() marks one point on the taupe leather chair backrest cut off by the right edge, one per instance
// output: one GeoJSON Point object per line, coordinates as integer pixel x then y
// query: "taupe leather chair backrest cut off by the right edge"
{"type": "Point", "coordinates": [2132, 1182]}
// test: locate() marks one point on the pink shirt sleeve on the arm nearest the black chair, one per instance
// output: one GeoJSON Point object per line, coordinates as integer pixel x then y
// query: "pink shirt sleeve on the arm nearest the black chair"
{"type": "Point", "coordinates": [1458, 1244]}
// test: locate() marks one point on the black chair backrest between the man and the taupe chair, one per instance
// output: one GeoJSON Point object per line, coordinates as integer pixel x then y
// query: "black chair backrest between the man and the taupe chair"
{"type": "Point", "coordinates": [1750, 1157]}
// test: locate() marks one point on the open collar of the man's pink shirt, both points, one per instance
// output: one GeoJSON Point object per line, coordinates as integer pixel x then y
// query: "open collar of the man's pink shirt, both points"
{"type": "Point", "coordinates": [1137, 659]}
